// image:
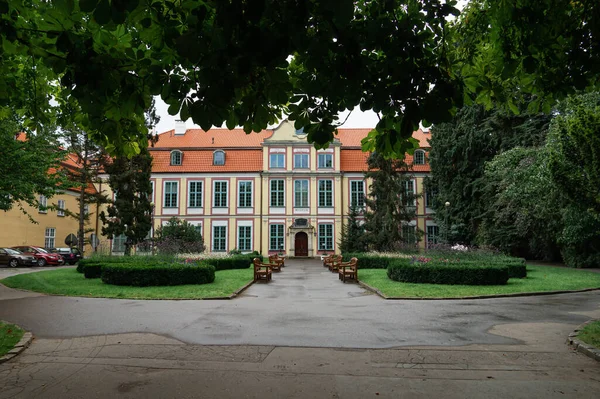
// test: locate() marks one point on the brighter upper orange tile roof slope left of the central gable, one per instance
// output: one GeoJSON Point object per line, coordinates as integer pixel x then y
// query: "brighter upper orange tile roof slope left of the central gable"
{"type": "Point", "coordinates": [214, 138]}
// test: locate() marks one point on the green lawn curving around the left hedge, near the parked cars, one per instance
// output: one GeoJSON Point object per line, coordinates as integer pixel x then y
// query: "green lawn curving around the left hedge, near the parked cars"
{"type": "Point", "coordinates": [69, 282]}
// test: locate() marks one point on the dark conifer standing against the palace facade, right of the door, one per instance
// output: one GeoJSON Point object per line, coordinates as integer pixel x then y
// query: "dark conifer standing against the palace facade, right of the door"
{"type": "Point", "coordinates": [390, 202]}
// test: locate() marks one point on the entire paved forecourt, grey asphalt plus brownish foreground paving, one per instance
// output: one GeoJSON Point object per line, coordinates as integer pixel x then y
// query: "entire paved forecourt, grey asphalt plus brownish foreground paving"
{"type": "Point", "coordinates": [305, 335]}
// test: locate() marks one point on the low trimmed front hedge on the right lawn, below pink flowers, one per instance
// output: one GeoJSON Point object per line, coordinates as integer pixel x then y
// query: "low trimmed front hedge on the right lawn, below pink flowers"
{"type": "Point", "coordinates": [436, 272]}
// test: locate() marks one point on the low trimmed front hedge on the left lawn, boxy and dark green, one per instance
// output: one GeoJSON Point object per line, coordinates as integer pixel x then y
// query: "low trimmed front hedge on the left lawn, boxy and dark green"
{"type": "Point", "coordinates": [157, 275]}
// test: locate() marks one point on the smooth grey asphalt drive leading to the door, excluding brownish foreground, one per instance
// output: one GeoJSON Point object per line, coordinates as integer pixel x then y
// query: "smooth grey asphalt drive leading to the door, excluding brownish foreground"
{"type": "Point", "coordinates": [304, 305]}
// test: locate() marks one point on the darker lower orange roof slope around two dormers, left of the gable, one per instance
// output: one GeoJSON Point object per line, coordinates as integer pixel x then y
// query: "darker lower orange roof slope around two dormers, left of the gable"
{"type": "Point", "coordinates": [249, 160]}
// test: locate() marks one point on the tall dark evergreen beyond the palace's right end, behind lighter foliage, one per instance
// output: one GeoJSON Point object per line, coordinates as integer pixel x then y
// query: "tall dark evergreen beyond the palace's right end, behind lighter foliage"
{"type": "Point", "coordinates": [459, 152]}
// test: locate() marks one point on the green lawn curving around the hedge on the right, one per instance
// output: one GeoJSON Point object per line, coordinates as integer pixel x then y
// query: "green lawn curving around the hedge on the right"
{"type": "Point", "coordinates": [539, 279]}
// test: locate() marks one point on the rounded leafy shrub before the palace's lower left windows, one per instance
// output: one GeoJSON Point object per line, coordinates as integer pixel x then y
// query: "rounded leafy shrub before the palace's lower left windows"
{"type": "Point", "coordinates": [179, 236]}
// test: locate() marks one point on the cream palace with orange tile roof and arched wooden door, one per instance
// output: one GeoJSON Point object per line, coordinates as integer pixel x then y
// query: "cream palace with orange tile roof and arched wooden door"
{"type": "Point", "coordinates": [272, 191]}
